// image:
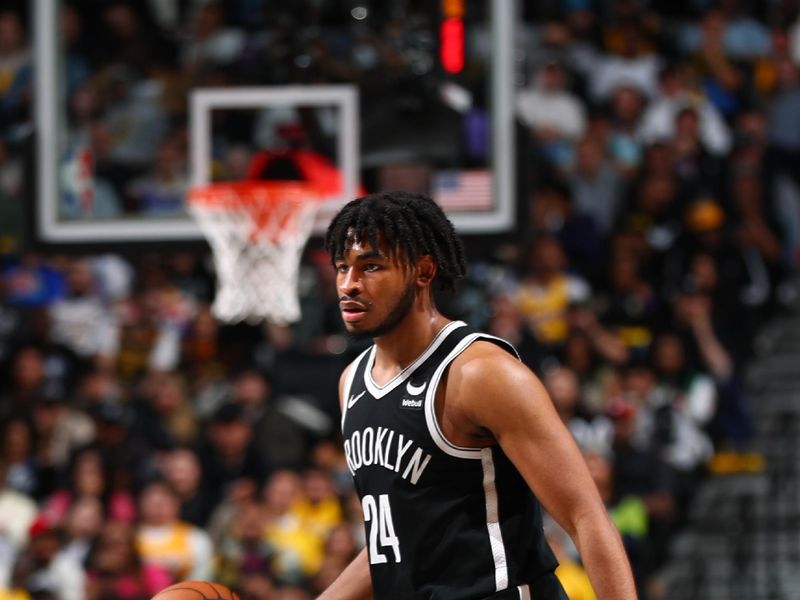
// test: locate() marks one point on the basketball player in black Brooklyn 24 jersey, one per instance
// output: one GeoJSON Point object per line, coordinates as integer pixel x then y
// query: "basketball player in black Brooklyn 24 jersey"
{"type": "Point", "coordinates": [449, 437]}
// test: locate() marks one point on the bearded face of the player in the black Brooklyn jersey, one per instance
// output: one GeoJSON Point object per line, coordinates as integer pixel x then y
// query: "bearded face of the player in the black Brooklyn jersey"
{"type": "Point", "coordinates": [376, 290]}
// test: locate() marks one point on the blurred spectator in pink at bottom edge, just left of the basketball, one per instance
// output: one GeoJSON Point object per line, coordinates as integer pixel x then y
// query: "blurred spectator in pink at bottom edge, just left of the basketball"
{"type": "Point", "coordinates": [115, 569]}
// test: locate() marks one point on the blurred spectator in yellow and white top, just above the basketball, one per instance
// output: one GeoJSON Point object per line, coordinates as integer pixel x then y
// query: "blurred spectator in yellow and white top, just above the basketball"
{"type": "Point", "coordinates": [164, 539]}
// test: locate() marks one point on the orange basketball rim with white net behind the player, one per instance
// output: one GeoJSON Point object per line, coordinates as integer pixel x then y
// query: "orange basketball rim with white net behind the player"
{"type": "Point", "coordinates": [257, 231]}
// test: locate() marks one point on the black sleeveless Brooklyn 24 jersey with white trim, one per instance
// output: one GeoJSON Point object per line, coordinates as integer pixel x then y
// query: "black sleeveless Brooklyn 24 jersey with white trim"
{"type": "Point", "coordinates": [442, 521]}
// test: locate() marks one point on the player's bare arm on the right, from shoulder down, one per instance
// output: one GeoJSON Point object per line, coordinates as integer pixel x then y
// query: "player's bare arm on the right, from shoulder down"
{"type": "Point", "coordinates": [493, 391]}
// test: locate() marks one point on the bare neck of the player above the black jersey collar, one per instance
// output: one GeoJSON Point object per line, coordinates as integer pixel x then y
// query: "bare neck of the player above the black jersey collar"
{"type": "Point", "coordinates": [402, 345]}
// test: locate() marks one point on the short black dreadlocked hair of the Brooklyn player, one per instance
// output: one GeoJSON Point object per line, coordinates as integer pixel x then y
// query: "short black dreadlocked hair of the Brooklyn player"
{"type": "Point", "coordinates": [412, 225]}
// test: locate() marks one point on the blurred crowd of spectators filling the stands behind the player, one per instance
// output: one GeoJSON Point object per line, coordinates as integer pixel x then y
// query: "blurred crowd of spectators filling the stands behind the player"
{"type": "Point", "coordinates": [659, 226]}
